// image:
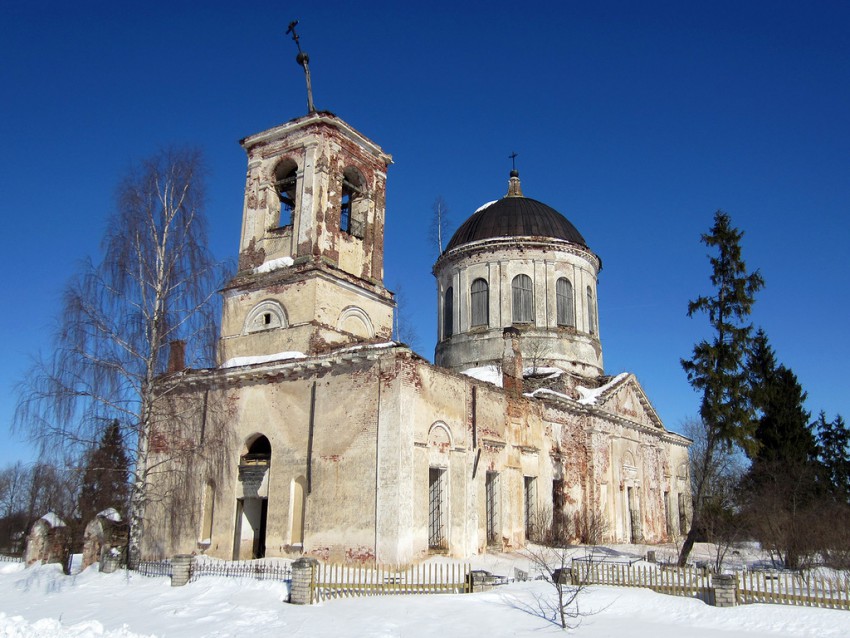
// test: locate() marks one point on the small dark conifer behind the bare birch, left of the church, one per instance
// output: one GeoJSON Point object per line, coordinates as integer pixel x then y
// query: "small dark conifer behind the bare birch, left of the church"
{"type": "Point", "coordinates": [105, 479]}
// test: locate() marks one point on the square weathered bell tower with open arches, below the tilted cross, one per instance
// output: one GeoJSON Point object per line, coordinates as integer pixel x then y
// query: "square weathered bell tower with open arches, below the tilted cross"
{"type": "Point", "coordinates": [310, 274]}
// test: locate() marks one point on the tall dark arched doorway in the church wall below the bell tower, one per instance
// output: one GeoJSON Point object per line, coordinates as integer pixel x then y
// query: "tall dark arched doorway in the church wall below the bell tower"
{"type": "Point", "coordinates": [249, 538]}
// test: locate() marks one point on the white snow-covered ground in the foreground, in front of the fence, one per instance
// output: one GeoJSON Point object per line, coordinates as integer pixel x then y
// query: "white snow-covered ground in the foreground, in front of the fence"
{"type": "Point", "coordinates": [42, 602]}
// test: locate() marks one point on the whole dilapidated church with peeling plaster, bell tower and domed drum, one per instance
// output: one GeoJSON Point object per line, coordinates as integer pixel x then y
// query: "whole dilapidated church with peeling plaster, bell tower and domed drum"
{"type": "Point", "coordinates": [331, 440]}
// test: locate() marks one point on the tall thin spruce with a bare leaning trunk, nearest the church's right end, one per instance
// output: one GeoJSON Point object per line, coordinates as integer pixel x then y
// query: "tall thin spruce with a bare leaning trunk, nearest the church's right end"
{"type": "Point", "coordinates": [717, 367]}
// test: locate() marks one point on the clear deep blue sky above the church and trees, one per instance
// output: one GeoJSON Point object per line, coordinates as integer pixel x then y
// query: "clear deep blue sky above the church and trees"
{"type": "Point", "coordinates": [636, 120]}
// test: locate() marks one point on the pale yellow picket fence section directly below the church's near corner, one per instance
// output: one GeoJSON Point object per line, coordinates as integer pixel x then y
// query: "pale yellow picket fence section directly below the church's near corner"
{"type": "Point", "coordinates": [333, 580]}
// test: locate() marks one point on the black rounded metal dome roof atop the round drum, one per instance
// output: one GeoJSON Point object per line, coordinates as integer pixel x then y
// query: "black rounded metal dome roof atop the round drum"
{"type": "Point", "coordinates": [515, 217]}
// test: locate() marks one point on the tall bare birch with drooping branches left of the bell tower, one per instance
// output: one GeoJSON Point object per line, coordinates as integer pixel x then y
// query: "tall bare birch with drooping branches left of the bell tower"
{"type": "Point", "coordinates": [154, 287]}
